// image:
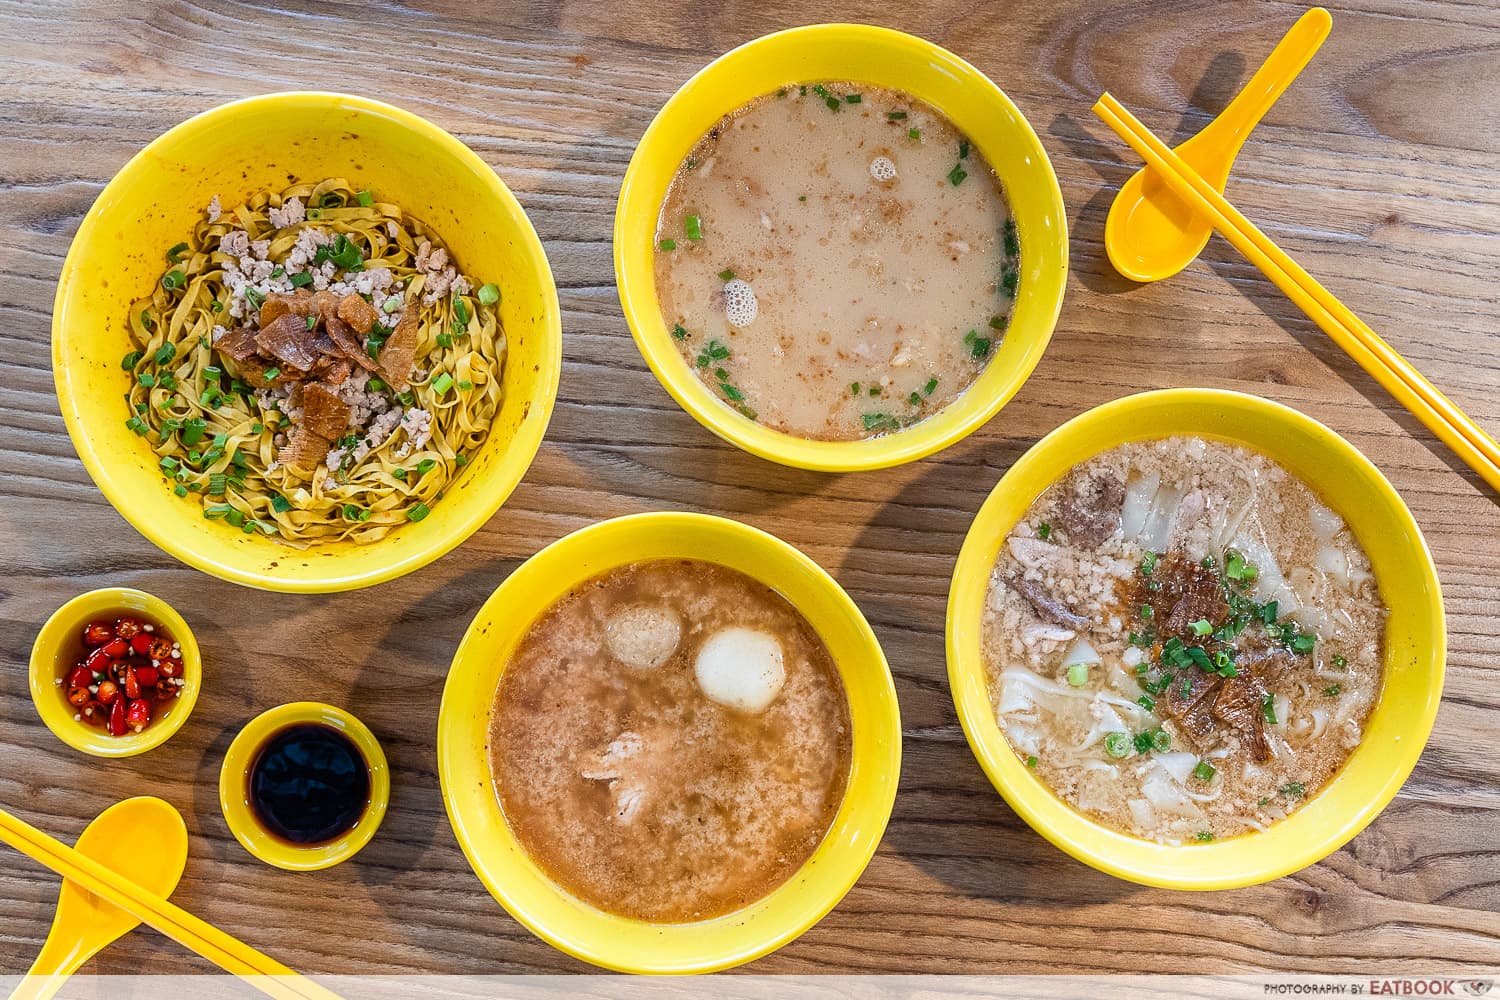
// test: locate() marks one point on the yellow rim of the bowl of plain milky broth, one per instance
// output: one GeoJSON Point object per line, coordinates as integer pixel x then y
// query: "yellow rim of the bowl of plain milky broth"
{"type": "Point", "coordinates": [644, 317]}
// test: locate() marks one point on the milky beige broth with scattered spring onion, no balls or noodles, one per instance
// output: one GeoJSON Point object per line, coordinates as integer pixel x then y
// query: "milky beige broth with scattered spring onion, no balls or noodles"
{"type": "Point", "coordinates": [866, 289]}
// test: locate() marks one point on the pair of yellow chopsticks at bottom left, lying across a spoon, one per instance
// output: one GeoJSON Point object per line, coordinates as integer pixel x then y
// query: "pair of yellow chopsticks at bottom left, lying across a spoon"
{"type": "Point", "coordinates": [226, 951]}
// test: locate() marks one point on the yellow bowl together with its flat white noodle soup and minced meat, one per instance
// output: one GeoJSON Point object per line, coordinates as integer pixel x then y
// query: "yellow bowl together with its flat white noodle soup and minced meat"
{"type": "Point", "coordinates": [1196, 639]}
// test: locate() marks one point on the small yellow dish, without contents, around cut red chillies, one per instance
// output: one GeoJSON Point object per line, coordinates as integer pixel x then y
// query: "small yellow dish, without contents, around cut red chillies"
{"type": "Point", "coordinates": [56, 645]}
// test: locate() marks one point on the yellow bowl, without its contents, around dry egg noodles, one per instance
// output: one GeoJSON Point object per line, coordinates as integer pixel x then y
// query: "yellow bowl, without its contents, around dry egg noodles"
{"type": "Point", "coordinates": [238, 151]}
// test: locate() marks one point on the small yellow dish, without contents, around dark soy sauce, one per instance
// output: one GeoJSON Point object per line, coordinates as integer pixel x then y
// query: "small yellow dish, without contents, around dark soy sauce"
{"type": "Point", "coordinates": [235, 788]}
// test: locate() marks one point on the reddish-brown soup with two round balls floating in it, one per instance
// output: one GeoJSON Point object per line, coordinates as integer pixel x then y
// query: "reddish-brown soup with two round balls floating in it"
{"type": "Point", "coordinates": [671, 741]}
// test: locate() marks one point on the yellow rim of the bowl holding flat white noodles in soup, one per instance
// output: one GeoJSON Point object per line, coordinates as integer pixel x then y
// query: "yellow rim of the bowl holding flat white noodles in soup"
{"type": "Point", "coordinates": [1094, 843]}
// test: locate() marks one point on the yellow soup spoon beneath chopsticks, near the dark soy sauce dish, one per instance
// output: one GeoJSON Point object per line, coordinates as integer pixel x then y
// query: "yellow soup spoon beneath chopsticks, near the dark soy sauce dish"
{"type": "Point", "coordinates": [143, 839]}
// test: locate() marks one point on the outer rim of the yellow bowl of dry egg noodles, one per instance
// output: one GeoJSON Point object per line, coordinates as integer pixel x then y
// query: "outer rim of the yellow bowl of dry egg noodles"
{"type": "Point", "coordinates": [311, 581]}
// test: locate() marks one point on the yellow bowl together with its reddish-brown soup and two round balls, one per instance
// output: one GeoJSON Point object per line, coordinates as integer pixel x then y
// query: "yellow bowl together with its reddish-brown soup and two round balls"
{"type": "Point", "coordinates": [670, 744]}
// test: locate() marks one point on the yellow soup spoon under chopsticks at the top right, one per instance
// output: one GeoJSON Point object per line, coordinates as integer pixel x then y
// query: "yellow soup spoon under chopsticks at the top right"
{"type": "Point", "coordinates": [1151, 233]}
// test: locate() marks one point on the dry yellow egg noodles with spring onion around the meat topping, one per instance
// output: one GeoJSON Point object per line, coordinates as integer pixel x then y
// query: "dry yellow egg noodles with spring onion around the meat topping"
{"type": "Point", "coordinates": [218, 439]}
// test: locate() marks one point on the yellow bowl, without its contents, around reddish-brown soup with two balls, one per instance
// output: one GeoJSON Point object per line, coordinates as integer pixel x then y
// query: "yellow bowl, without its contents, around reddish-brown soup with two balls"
{"type": "Point", "coordinates": [617, 942]}
